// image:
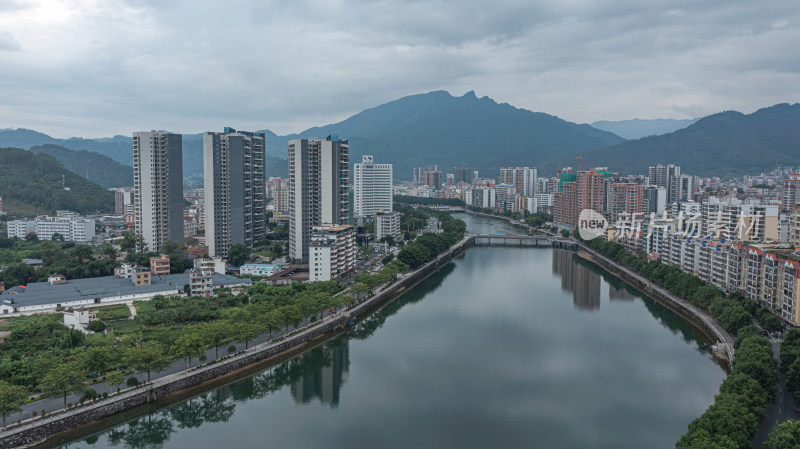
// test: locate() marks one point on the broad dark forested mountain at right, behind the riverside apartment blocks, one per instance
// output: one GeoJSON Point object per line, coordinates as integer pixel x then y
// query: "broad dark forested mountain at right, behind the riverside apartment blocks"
{"type": "Point", "coordinates": [725, 144]}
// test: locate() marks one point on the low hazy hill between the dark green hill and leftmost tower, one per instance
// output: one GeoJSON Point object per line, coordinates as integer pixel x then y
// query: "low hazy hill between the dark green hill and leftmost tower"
{"type": "Point", "coordinates": [96, 167]}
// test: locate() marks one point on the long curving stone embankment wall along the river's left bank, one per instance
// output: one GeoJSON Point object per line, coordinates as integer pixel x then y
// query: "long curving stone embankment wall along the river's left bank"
{"type": "Point", "coordinates": [36, 432]}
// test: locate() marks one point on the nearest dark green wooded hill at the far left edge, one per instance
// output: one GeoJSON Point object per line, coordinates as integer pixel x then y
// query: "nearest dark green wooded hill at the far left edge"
{"type": "Point", "coordinates": [31, 183]}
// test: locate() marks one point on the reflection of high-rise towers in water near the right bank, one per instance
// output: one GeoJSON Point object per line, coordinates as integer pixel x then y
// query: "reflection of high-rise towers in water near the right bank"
{"type": "Point", "coordinates": [581, 280]}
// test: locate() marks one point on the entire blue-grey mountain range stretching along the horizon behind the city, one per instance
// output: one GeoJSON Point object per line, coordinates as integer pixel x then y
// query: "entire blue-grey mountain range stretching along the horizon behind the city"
{"type": "Point", "coordinates": [438, 128]}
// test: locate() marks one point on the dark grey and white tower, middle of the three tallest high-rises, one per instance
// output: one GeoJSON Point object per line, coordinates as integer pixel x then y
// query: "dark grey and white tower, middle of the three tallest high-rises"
{"type": "Point", "coordinates": [235, 189]}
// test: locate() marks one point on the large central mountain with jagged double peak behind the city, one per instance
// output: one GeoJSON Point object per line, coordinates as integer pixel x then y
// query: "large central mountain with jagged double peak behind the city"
{"type": "Point", "coordinates": [438, 128]}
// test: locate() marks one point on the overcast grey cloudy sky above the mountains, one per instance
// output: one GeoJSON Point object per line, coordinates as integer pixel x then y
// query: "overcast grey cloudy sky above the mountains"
{"type": "Point", "coordinates": [99, 68]}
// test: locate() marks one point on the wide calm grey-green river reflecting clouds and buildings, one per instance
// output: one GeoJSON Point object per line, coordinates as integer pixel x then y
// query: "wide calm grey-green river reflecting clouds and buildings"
{"type": "Point", "coordinates": [503, 347]}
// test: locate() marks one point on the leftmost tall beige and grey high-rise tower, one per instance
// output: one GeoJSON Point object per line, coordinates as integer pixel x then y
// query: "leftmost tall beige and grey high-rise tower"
{"type": "Point", "coordinates": [158, 187]}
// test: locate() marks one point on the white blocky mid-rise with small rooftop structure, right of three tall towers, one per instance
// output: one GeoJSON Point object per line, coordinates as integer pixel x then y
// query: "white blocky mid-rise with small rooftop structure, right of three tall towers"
{"type": "Point", "coordinates": [372, 187]}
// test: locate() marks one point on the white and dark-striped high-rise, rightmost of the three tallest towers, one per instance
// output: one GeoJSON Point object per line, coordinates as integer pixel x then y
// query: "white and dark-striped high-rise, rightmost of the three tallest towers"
{"type": "Point", "coordinates": [318, 192]}
